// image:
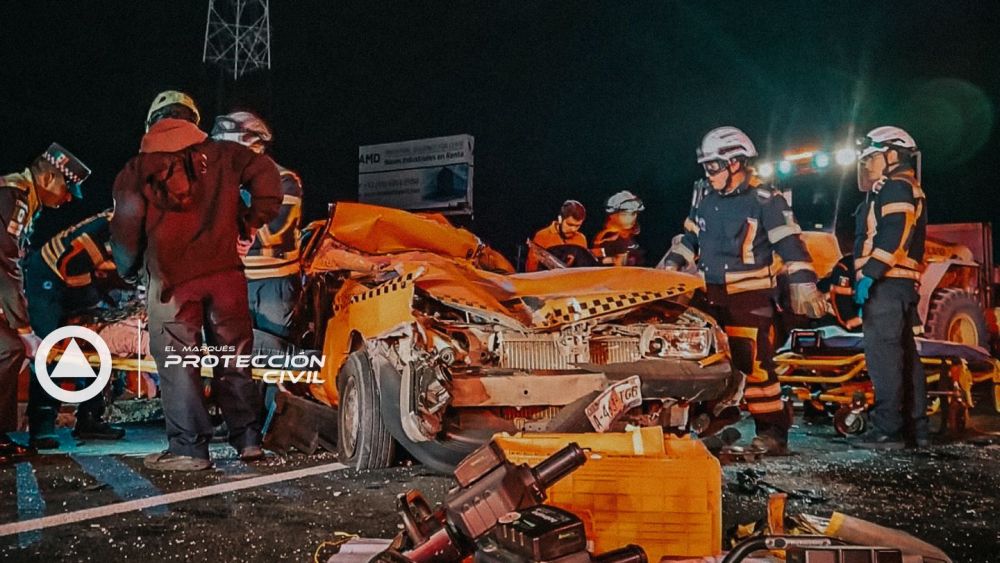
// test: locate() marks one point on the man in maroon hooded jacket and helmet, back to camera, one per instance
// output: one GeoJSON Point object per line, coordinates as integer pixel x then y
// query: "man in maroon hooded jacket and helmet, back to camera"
{"type": "Point", "coordinates": [178, 217]}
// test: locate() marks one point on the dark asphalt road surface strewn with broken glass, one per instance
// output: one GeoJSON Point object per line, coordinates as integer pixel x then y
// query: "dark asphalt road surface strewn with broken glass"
{"type": "Point", "coordinates": [948, 495]}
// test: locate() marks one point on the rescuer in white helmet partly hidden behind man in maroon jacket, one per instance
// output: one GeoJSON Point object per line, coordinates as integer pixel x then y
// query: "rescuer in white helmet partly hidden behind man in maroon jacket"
{"type": "Point", "coordinates": [271, 257]}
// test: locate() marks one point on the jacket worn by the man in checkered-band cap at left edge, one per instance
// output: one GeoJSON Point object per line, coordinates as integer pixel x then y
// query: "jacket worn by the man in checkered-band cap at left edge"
{"type": "Point", "coordinates": [18, 207]}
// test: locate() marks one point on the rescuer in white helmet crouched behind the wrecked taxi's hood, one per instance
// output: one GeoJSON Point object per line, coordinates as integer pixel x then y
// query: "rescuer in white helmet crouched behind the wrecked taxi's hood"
{"type": "Point", "coordinates": [616, 244]}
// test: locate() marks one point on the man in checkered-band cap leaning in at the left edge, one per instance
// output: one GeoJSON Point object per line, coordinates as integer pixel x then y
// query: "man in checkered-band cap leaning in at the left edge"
{"type": "Point", "coordinates": [51, 180]}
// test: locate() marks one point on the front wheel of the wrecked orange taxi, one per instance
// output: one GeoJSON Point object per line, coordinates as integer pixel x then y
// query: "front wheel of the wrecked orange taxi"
{"type": "Point", "coordinates": [363, 440]}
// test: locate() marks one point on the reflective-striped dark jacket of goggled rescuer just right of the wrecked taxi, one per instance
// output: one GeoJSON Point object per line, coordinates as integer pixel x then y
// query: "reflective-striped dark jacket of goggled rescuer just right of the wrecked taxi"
{"type": "Point", "coordinates": [733, 237]}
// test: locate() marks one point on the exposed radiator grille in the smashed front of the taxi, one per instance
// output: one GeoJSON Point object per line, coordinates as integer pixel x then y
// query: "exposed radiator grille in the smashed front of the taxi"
{"type": "Point", "coordinates": [545, 354]}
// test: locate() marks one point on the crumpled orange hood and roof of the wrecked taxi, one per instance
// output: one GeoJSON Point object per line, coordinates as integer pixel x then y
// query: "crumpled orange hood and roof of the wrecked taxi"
{"type": "Point", "coordinates": [446, 263]}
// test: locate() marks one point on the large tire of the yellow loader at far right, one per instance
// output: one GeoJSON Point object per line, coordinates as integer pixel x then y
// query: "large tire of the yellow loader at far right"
{"type": "Point", "coordinates": [955, 315]}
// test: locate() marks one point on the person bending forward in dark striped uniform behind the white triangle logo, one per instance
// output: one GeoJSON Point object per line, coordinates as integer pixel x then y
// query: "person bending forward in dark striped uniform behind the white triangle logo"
{"type": "Point", "coordinates": [72, 272]}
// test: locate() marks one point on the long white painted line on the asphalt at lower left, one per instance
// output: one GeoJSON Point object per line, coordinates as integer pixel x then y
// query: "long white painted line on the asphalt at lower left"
{"type": "Point", "coordinates": [180, 496]}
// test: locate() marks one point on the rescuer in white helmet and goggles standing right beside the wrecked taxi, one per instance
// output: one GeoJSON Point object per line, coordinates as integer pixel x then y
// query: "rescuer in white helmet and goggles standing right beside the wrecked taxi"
{"type": "Point", "coordinates": [735, 226]}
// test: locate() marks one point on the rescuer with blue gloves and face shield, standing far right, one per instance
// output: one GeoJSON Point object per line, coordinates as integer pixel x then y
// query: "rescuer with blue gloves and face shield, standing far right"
{"type": "Point", "coordinates": [891, 228]}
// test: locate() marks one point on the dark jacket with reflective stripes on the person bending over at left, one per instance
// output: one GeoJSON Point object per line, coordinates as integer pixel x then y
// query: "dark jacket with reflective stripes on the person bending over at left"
{"type": "Point", "coordinates": [77, 252]}
